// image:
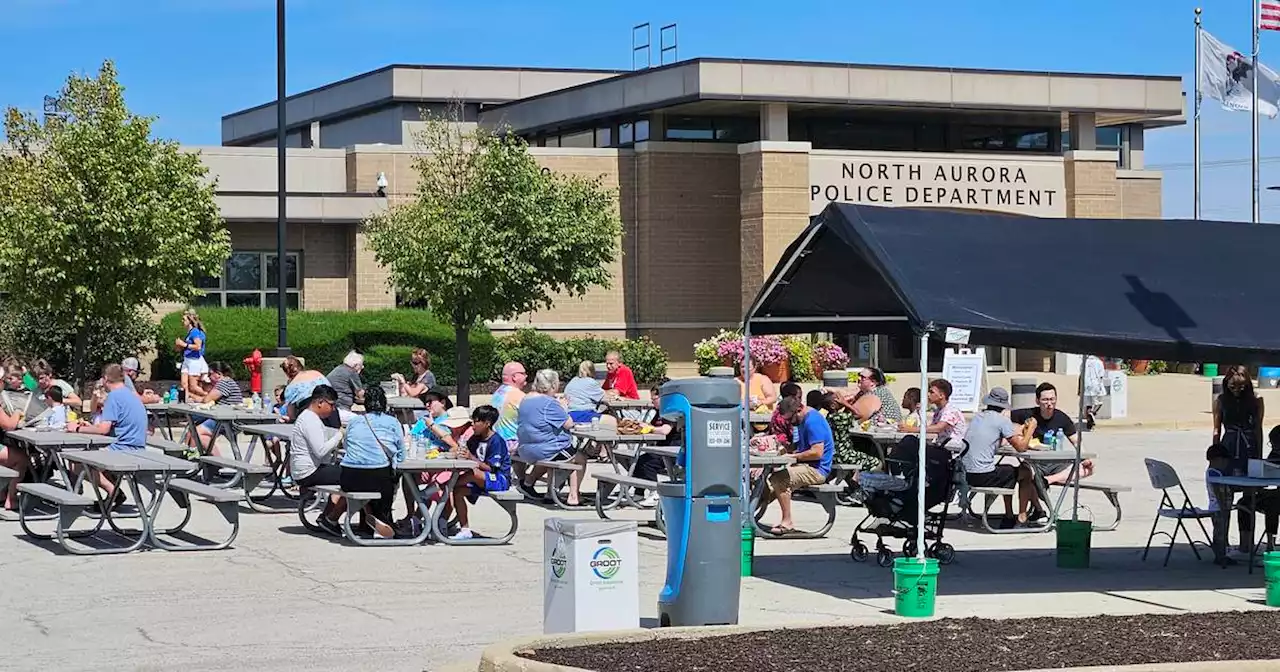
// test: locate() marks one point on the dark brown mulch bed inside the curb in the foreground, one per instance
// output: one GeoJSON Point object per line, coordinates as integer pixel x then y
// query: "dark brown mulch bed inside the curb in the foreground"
{"type": "Point", "coordinates": [950, 646]}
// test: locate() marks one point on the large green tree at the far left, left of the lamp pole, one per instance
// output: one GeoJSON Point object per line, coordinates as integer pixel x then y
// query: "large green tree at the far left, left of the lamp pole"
{"type": "Point", "coordinates": [99, 220]}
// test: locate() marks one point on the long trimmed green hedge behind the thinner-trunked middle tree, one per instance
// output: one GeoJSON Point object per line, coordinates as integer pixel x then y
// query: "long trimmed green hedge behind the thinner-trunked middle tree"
{"type": "Point", "coordinates": [323, 340]}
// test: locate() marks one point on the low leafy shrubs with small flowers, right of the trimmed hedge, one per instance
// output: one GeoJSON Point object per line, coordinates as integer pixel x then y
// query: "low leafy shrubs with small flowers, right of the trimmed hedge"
{"type": "Point", "coordinates": [536, 350]}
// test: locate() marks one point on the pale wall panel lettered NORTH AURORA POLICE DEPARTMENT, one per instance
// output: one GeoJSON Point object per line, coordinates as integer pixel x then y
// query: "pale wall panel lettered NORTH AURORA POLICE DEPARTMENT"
{"type": "Point", "coordinates": [1020, 186]}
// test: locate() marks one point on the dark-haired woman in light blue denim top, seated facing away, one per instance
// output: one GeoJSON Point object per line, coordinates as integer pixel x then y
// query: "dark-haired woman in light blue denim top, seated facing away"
{"type": "Point", "coordinates": [374, 444]}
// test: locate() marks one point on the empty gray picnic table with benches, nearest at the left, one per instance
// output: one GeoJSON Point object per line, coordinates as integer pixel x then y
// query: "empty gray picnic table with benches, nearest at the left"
{"type": "Point", "coordinates": [136, 470]}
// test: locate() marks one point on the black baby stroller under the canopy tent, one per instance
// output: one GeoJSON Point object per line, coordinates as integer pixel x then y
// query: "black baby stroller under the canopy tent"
{"type": "Point", "coordinates": [892, 502]}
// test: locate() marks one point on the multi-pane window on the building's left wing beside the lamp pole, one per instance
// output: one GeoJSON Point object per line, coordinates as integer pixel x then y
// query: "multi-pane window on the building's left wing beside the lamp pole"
{"type": "Point", "coordinates": [250, 281]}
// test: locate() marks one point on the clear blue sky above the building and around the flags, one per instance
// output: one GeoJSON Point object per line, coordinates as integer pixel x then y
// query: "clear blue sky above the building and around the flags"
{"type": "Point", "coordinates": [190, 62]}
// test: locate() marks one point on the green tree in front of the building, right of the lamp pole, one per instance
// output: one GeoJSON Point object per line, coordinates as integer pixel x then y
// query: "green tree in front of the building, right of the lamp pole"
{"type": "Point", "coordinates": [490, 235]}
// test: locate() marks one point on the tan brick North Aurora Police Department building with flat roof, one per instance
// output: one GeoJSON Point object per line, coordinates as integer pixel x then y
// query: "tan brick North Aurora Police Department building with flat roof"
{"type": "Point", "coordinates": [717, 164]}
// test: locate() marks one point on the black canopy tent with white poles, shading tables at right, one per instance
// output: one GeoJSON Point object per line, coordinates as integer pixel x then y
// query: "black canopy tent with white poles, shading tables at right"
{"type": "Point", "coordinates": [1173, 290]}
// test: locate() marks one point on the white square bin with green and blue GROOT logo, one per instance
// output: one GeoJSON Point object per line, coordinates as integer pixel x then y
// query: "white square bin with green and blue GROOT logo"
{"type": "Point", "coordinates": [591, 580]}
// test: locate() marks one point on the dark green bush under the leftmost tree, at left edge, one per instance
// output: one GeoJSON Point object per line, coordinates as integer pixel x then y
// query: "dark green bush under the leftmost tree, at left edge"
{"type": "Point", "coordinates": [33, 335]}
